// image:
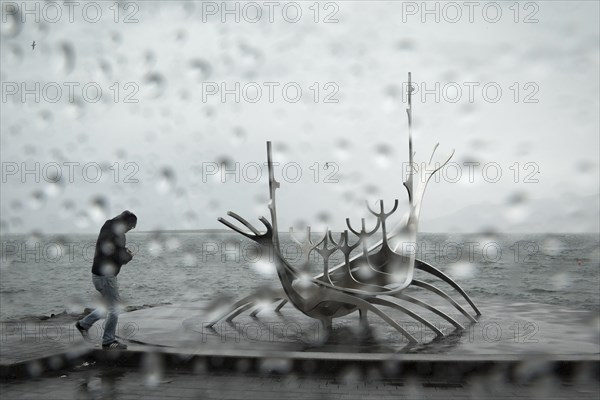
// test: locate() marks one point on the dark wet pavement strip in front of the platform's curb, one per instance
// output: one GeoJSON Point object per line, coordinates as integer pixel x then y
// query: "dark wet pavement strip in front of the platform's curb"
{"type": "Point", "coordinates": [150, 381]}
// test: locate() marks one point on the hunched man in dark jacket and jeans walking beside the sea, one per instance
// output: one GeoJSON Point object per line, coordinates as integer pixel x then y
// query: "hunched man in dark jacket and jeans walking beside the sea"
{"type": "Point", "coordinates": [110, 255]}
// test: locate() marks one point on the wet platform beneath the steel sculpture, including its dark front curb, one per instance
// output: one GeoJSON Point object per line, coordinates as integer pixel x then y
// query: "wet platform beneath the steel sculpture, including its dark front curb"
{"type": "Point", "coordinates": [518, 342]}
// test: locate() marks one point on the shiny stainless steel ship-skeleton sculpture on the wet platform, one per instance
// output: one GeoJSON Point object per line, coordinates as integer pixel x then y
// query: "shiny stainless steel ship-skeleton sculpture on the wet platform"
{"type": "Point", "coordinates": [343, 289]}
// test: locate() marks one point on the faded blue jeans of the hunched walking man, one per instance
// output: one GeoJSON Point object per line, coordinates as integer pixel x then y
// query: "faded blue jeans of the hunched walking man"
{"type": "Point", "coordinates": [108, 286]}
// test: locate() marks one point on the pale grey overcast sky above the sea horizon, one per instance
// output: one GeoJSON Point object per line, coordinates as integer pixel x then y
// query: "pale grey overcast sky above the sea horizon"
{"type": "Point", "coordinates": [517, 94]}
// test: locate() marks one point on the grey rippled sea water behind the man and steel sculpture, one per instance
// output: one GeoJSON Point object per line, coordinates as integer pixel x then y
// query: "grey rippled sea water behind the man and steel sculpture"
{"type": "Point", "coordinates": [50, 274]}
